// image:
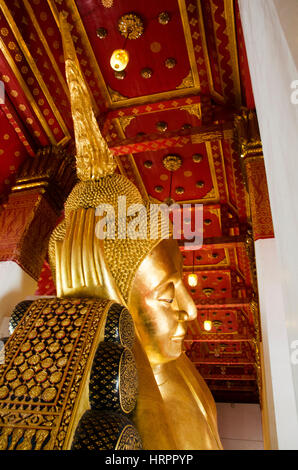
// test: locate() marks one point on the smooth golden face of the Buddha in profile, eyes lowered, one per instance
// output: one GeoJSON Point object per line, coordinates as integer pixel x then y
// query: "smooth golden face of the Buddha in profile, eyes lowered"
{"type": "Point", "coordinates": [160, 303]}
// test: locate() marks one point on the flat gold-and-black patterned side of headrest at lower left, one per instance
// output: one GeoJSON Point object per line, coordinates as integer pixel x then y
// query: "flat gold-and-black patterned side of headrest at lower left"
{"type": "Point", "coordinates": [47, 365]}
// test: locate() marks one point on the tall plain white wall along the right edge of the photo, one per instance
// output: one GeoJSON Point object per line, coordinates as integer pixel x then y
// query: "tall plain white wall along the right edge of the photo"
{"type": "Point", "coordinates": [270, 31]}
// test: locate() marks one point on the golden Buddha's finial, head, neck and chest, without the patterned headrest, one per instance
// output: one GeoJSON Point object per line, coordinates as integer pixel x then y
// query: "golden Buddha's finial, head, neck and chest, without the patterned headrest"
{"type": "Point", "coordinates": [175, 409]}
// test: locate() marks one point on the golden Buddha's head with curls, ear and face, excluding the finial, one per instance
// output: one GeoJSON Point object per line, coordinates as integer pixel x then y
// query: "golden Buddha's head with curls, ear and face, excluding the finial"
{"type": "Point", "coordinates": [147, 272]}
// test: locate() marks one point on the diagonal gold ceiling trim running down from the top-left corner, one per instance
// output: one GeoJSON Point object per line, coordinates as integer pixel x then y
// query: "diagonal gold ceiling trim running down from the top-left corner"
{"type": "Point", "coordinates": [33, 66]}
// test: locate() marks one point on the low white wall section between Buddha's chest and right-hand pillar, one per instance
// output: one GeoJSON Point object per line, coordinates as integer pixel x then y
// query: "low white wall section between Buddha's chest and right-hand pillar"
{"type": "Point", "coordinates": [240, 426]}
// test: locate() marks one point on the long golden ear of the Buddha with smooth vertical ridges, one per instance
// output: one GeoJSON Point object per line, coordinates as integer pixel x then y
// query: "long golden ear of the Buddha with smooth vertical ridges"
{"type": "Point", "coordinates": [81, 268]}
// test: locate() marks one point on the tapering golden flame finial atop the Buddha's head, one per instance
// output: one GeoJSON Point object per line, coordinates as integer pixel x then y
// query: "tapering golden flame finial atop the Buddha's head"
{"type": "Point", "coordinates": [93, 157]}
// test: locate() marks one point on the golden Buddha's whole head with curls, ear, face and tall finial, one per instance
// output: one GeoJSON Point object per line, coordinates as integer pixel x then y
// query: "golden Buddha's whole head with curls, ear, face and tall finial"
{"type": "Point", "coordinates": [144, 273]}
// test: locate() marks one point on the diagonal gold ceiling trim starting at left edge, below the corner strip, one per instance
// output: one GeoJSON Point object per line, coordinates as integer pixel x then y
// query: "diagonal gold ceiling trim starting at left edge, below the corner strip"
{"type": "Point", "coordinates": [27, 92]}
